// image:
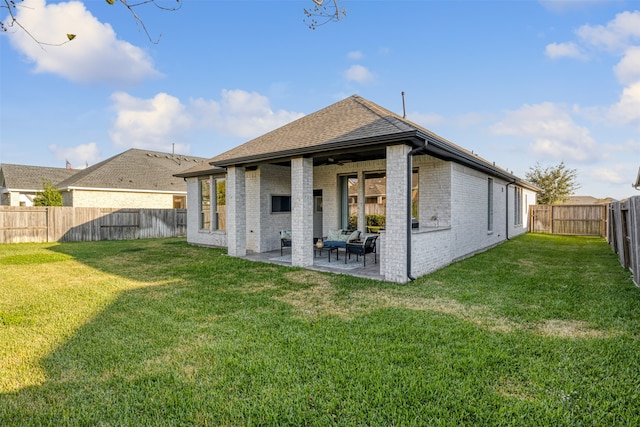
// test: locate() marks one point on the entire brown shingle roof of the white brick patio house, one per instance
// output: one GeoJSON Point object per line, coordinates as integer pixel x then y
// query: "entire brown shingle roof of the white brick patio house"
{"type": "Point", "coordinates": [352, 124]}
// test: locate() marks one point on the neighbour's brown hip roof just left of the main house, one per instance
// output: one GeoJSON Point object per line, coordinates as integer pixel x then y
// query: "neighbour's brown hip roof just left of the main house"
{"type": "Point", "coordinates": [134, 169]}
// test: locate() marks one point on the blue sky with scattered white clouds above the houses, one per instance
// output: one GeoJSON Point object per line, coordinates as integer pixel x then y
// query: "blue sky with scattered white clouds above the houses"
{"type": "Point", "coordinates": [518, 82]}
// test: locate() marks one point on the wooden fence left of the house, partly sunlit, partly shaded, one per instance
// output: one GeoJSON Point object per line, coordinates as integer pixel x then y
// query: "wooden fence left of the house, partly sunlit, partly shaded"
{"type": "Point", "coordinates": [68, 224]}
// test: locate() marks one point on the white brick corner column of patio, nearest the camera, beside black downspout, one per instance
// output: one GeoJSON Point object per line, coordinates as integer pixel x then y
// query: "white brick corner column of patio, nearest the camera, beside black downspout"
{"type": "Point", "coordinates": [395, 241]}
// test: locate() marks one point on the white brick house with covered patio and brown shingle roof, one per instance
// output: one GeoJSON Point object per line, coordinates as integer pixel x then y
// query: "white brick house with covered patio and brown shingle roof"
{"type": "Point", "coordinates": [442, 202]}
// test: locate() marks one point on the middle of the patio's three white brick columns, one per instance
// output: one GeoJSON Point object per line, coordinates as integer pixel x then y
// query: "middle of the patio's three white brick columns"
{"type": "Point", "coordinates": [301, 212]}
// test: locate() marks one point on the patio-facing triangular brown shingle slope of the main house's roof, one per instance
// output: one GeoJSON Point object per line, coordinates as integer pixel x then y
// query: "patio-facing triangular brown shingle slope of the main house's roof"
{"type": "Point", "coordinates": [353, 118]}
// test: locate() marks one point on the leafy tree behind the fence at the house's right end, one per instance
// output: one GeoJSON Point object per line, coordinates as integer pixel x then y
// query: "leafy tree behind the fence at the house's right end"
{"type": "Point", "coordinates": [556, 182]}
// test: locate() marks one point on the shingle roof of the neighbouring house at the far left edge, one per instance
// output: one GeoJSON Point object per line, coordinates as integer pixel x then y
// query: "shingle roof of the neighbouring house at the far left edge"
{"type": "Point", "coordinates": [25, 177]}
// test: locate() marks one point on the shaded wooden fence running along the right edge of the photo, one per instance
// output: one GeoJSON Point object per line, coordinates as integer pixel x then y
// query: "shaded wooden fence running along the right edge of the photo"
{"type": "Point", "coordinates": [624, 234]}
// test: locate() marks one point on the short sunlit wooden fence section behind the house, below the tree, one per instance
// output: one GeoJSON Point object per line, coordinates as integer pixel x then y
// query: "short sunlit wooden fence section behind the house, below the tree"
{"type": "Point", "coordinates": [577, 220]}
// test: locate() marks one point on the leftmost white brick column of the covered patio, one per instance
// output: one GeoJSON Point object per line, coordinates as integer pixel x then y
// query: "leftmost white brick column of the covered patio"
{"type": "Point", "coordinates": [236, 212]}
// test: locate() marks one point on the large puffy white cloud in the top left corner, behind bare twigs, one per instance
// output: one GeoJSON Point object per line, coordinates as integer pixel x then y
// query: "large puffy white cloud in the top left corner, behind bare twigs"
{"type": "Point", "coordinates": [95, 55]}
